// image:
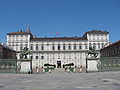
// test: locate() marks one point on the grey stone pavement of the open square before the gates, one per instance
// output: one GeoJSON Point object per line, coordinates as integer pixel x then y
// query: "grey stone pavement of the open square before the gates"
{"type": "Point", "coordinates": [61, 81]}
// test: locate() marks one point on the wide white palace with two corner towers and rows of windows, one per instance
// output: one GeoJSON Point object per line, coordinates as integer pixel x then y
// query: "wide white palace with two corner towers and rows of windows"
{"type": "Point", "coordinates": [57, 50]}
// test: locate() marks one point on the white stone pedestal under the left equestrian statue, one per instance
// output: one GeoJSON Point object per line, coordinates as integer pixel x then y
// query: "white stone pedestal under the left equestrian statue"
{"type": "Point", "coordinates": [26, 66]}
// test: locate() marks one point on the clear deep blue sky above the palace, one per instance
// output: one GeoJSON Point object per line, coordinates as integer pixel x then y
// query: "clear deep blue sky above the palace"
{"type": "Point", "coordinates": [68, 17]}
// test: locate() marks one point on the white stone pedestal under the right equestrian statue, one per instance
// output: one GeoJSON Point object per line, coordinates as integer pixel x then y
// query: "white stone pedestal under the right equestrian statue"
{"type": "Point", "coordinates": [92, 64]}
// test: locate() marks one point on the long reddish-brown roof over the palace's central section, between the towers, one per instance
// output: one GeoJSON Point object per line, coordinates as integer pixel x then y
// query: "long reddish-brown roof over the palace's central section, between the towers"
{"type": "Point", "coordinates": [60, 38]}
